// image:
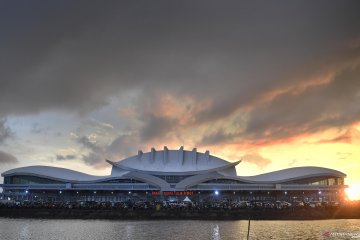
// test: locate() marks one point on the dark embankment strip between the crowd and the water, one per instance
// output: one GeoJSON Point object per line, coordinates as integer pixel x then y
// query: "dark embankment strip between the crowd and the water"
{"type": "Point", "coordinates": [204, 214]}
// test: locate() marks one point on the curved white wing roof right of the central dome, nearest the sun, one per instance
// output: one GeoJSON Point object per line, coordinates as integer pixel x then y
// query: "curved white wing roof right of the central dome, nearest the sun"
{"type": "Point", "coordinates": [293, 174]}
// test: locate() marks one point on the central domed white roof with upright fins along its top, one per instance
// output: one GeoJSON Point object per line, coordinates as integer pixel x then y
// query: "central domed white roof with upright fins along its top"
{"type": "Point", "coordinates": [173, 161]}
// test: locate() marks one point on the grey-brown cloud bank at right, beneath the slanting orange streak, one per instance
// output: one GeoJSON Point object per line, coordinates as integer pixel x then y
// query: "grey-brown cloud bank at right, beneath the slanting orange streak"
{"type": "Point", "coordinates": [331, 105]}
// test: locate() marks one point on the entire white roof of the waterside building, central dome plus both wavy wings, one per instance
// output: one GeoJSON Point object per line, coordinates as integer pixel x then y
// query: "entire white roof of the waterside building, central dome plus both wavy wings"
{"type": "Point", "coordinates": [178, 162]}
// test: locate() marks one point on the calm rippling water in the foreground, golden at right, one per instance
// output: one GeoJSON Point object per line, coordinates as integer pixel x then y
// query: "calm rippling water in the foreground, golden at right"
{"type": "Point", "coordinates": [106, 229]}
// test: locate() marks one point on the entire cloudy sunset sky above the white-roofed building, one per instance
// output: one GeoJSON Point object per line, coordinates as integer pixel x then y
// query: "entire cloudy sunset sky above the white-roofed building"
{"type": "Point", "coordinates": [276, 84]}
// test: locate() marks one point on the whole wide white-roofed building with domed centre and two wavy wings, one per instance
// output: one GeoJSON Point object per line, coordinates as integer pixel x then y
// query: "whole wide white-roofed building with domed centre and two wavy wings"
{"type": "Point", "coordinates": [172, 175]}
